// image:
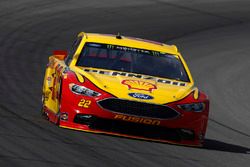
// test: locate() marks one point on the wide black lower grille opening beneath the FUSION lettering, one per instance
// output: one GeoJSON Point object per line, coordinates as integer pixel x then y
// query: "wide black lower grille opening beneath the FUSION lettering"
{"type": "Point", "coordinates": [133, 129]}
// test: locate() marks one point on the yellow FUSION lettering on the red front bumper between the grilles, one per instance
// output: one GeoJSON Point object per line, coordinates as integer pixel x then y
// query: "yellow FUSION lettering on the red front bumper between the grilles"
{"type": "Point", "coordinates": [147, 121]}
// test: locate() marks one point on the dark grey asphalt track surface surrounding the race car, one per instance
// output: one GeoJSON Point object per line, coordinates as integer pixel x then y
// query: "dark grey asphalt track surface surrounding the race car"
{"type": "Point", "coordinates": [213, 36]}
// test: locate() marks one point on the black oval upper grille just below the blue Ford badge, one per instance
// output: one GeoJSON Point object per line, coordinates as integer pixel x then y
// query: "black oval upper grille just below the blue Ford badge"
{"type": "Point", "coordinates": [138, 108]}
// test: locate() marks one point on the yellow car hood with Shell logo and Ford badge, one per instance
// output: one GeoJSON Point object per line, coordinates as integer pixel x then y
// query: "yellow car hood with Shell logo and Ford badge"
{"type": "Point", "coordinates": [138, 87]}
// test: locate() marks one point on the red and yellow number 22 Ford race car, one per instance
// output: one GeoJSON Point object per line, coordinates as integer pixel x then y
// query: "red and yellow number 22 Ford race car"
{"type": "Point", "coordinates": [125, 86]}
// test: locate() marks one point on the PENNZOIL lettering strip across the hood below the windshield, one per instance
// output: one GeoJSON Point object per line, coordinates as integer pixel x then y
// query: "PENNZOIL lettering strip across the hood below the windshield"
{"type": "Point", "coordinates": [132, 75]}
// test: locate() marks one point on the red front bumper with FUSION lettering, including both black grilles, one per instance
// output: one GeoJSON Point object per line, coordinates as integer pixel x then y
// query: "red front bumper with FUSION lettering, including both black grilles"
{"type": "Point", "coordinates": [175, 126]}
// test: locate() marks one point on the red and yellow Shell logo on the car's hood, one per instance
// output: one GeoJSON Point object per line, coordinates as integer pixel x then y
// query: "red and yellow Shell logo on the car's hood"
{"type": "Point", "coordinates": [139, 85]}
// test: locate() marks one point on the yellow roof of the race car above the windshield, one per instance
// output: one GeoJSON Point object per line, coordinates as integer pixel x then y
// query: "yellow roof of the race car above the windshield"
{"type": "Point", "coordinates": [129, 42]}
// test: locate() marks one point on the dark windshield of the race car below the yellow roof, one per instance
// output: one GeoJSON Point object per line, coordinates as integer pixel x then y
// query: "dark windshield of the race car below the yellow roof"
{"type": "Point", "coordinates": [140, 61]}
